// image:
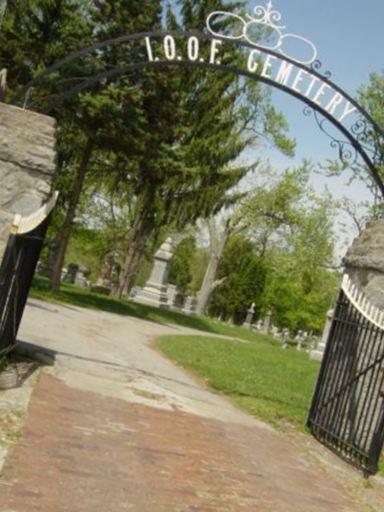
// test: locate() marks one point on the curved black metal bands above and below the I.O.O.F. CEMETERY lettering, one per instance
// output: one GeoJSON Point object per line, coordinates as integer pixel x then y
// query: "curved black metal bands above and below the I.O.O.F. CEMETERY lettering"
{"type": "Point", "coordinates": [314, 70]}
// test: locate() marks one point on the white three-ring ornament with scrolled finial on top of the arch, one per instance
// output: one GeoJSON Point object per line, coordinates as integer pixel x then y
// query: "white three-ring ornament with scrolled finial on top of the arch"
{"type": "Point", "coordinates": [265, 17]}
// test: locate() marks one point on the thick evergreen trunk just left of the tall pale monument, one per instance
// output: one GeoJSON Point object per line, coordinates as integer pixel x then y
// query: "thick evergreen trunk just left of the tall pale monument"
{"type": "Point", "coordinates": [138, 237]}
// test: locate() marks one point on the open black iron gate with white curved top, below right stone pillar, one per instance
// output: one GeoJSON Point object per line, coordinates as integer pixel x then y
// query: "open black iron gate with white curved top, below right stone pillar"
{"type": "Point", "coordinates": [347, 412]}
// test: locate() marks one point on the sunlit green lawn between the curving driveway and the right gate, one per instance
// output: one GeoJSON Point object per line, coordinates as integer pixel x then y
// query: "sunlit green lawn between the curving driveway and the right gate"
{"type": "Point", "coordinates": [274, 384]}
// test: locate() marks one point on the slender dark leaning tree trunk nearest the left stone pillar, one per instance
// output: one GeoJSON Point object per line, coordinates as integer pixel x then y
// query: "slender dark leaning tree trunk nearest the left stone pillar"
{"type": "Point", "coordinates": [69, 218]}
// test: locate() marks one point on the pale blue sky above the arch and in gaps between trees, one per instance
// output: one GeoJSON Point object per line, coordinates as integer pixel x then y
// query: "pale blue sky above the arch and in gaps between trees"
{"type": "Point", "coordinates": [349, 37]}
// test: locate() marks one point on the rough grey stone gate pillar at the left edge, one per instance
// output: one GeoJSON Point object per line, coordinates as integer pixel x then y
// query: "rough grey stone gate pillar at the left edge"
{"type": "Point", "coordinates": [27, 164]}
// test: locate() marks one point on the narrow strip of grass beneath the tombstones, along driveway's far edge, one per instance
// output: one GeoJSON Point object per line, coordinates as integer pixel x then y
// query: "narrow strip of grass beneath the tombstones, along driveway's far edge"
{"type": "Point", "coordinates": [84, 298]}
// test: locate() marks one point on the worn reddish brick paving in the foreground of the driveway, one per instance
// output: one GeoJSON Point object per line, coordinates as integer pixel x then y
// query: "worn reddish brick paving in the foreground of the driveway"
{"type": "Point", "coordinates": [82, 452]}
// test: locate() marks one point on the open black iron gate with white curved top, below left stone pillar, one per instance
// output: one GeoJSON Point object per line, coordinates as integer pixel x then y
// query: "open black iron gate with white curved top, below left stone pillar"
{"type": "Point", "coordinates": [17, 270]}
